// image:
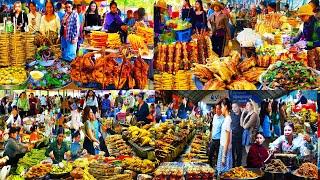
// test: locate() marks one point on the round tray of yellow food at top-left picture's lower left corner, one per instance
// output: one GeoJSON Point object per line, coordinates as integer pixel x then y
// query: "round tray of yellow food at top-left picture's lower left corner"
{"type": "Point", "coordinates": [13, 75]}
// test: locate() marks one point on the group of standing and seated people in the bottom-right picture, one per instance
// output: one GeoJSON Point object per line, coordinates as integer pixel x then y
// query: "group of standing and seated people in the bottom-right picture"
{"type": "Point", "coordinates": [257, 134]}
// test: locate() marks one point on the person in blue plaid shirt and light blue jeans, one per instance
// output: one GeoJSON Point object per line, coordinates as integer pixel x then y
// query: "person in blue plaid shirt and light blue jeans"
{"type": "Point", "coordinates": [69, 32]}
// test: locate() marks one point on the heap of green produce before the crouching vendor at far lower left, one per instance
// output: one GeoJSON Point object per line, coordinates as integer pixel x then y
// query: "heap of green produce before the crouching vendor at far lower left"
{"type": "Point", "coordinates": [30, 159]}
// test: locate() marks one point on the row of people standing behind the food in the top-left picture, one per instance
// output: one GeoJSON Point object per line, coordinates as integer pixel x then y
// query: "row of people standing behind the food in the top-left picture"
{"type": "Point", "coordinates": [67, 21]}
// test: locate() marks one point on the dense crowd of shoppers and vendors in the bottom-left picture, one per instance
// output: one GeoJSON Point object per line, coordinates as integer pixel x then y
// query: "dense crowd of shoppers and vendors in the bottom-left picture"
{"type": "Point", "coordinates": [76, 114]}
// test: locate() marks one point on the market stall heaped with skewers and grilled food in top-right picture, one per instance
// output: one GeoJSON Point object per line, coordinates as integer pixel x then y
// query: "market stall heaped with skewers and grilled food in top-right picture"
{"type": "Point", "coordinates": [262, 57]}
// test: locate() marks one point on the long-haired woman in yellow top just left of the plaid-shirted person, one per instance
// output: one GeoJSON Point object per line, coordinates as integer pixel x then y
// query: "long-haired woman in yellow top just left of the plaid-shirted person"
{"type": "Point", "coordinates": [50, 21]}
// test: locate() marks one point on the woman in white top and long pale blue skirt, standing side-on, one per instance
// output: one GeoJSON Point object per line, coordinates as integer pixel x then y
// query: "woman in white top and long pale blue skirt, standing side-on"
{"type": "Point", "coordinates": [224, 162]}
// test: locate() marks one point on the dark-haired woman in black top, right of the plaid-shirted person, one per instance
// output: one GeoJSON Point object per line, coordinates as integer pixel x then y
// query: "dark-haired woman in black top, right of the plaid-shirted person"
{"type": "Point", "coordinates": [92, 17]}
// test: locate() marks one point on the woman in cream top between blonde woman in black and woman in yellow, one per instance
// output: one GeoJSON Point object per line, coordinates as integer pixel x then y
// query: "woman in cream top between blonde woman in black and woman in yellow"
{"type": "Point", "coordinates": [34, 18]}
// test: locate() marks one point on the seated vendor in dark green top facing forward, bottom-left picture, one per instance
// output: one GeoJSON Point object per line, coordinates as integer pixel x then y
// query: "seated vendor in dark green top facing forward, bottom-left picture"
{"type": "Point", "coordinates": [58, 149]}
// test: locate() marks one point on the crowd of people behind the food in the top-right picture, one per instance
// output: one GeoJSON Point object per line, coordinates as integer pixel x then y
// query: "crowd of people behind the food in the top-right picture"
{"type": "Point", "coordinates": [224, 21]}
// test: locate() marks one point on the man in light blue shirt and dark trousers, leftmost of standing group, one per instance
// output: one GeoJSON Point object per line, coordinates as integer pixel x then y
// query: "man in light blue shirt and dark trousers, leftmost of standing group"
{"type": "Point", "coordinates": [215, 135]}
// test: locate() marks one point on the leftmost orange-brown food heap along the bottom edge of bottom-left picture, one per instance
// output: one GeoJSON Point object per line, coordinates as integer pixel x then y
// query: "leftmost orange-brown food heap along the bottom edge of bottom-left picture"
{"type": "Point", "coordinates": [38, 171]}
